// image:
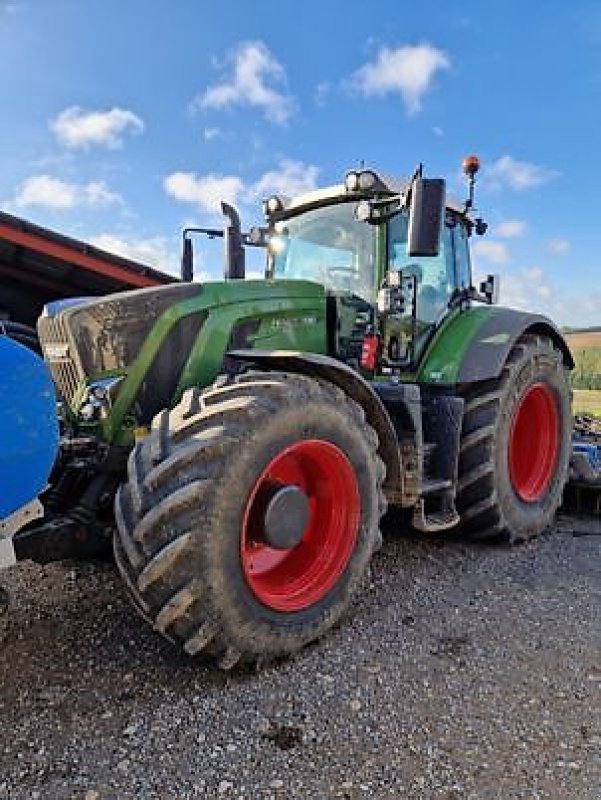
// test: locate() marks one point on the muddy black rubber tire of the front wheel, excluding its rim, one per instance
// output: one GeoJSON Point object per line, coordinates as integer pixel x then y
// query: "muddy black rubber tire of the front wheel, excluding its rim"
{"type": "Point", "coordinates": [180, 514]}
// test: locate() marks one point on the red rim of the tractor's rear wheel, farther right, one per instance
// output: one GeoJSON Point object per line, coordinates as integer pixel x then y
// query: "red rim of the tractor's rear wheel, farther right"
{"type": "Point", "coordinates": [534, 443]}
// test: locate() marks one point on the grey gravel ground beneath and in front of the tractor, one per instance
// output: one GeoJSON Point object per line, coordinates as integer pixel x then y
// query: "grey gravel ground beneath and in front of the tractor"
{"type": "Point", "coordinates": [462, 672]}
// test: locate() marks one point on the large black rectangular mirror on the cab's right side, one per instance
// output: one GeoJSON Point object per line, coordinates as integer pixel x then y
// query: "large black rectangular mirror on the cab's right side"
{"type": "Point", "coordinates": [425, 216]}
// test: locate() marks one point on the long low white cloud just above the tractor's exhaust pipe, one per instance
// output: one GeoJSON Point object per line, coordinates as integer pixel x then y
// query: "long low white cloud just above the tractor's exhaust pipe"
{"type": "Point", "coordinates": [206, 191]}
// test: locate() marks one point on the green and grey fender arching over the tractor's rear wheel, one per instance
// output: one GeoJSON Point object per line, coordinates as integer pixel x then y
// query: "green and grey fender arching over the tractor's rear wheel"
{"type": "Point", "coordinates": [473, 345]}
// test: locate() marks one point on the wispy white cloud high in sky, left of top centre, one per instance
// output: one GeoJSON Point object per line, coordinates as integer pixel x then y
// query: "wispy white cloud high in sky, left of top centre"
{"type": "Point", "coordinates": [255, 72]}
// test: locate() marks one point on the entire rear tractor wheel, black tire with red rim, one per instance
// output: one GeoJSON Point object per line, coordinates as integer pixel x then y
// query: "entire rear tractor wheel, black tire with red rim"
{"type": "Point", "coordinates": [515, 445]}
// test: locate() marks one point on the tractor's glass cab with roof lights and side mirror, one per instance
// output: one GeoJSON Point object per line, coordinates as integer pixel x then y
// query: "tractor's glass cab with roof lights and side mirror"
{"type": "Point", "coordinates": [364, 242]}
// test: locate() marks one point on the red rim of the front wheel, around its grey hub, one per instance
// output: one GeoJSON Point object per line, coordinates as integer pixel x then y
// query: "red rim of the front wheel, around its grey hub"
{"type": "Point", "coordinates": [294, 579]}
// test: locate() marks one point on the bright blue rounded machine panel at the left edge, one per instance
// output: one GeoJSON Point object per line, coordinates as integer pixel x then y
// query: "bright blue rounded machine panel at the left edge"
{"type": "Point", "coordinates": [29, 432]}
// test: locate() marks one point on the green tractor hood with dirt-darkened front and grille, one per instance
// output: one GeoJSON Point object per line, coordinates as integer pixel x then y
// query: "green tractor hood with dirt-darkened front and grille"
{"type": "Point", "coordinates": [163, 340]}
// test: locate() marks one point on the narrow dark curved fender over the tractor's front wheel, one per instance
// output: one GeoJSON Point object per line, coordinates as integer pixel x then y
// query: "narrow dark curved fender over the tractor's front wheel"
{"type": "Point", "coordinates": [356, 387]}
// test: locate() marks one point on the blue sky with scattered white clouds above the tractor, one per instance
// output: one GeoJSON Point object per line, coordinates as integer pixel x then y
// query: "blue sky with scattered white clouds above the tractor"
{"type": "Point", "coordinates": [123, 121]}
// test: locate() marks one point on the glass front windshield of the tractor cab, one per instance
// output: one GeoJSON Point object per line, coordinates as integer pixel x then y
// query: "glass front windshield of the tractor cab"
{"type": "Point", "coordinates": [327, 245]}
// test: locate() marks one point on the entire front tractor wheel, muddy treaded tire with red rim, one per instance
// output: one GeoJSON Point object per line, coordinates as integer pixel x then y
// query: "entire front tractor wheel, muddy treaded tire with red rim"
{"type": "Point", "coordinates": [250, 515]}
